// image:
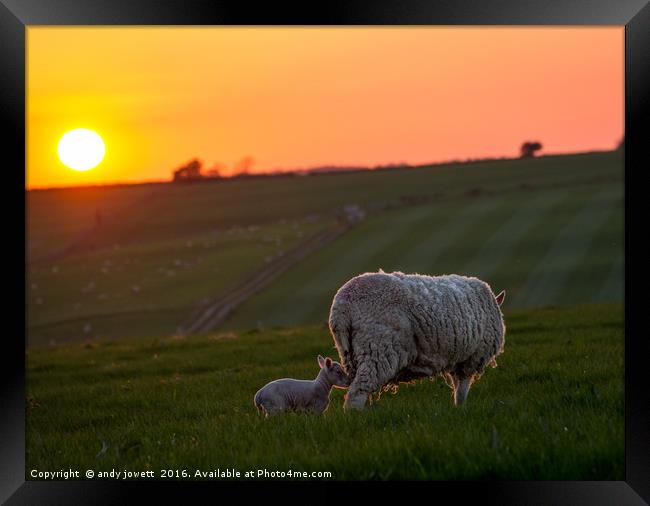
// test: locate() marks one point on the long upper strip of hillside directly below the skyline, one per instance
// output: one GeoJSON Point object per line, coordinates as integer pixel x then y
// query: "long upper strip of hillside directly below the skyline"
{"type": "Point", "coordinates": [166, 211]}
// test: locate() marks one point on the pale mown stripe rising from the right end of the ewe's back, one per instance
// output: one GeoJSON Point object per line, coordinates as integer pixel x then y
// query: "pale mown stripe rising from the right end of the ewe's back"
{"type": "Point", "coordinates": [496, 250]}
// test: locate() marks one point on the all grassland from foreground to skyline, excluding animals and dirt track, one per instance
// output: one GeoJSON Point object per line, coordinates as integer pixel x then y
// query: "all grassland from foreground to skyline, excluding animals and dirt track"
{"type": "Point", "coordinates": [122, 390]}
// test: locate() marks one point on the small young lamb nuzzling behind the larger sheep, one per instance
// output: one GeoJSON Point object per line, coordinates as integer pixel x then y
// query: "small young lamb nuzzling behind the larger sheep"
{"type": "Point", "coordinates": [302, 395]}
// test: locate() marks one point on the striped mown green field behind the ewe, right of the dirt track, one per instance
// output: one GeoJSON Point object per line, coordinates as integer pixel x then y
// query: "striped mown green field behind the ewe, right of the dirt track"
{"type": "Point", "coordinates": [547, 247]}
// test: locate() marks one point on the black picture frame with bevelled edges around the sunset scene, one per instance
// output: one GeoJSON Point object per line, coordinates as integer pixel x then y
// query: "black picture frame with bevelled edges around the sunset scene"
{"type": "Point", "coordinates": [16, 15]}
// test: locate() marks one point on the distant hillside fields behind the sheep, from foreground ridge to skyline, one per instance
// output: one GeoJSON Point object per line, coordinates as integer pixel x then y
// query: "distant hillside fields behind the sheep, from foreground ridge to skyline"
{"type": "Point", "coordinates": [548, 230]}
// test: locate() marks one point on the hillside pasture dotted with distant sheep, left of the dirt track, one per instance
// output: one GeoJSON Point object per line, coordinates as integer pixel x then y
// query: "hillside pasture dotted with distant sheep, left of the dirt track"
{"type": "Point", "coordinates": [93, 294]}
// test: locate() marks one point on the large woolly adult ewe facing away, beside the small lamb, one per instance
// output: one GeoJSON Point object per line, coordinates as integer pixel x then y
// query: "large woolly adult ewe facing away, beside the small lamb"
{"type": "Point", "coordinates": [393, 328]}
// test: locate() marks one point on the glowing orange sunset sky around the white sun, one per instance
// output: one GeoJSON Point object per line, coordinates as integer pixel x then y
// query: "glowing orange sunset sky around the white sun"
{"type": "Point", "coordinates": [294, 97]}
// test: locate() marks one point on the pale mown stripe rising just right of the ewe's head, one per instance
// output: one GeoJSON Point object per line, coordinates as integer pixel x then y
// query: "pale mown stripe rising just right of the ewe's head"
{"type": "Point", "coordinates": [565, 254]}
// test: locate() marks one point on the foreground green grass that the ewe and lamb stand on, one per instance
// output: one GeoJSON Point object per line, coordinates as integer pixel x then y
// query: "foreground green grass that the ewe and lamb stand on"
{"type": "Point", "coordinates": [553, 409]}
